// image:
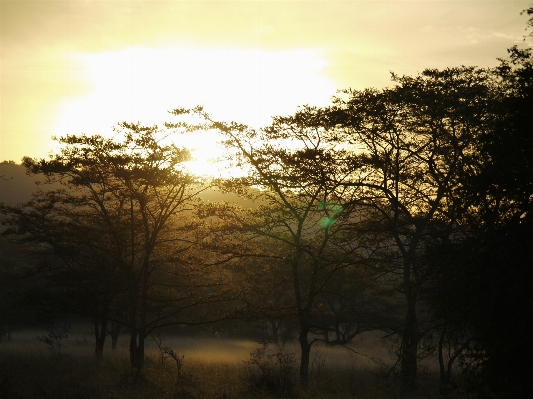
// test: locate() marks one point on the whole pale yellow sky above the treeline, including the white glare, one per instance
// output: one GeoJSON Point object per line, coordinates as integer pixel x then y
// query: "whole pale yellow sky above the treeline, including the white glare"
{"type": "Point", "coordinates": [82, 66]}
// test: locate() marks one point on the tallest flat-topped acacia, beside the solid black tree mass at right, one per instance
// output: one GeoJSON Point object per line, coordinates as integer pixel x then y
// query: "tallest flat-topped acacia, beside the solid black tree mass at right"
{"type": "Point", "coordinates": [413, 144]}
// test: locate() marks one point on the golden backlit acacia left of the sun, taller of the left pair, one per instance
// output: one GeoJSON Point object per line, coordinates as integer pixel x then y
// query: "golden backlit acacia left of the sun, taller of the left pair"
{"type": "Point", "coordinates": [136, 194]}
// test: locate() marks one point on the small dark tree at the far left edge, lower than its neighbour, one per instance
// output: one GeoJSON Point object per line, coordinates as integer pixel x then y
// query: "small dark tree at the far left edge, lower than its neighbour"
{"type": "Point", "coordinates": [80, 276]}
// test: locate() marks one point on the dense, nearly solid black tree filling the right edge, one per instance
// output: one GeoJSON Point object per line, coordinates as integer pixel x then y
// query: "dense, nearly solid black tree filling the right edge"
{"type": "Point", "coordinates": [486, 274]}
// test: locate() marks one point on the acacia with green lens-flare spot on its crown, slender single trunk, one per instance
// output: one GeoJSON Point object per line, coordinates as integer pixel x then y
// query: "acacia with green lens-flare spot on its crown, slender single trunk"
{"type": "Point", "coordinates": [293, 177]}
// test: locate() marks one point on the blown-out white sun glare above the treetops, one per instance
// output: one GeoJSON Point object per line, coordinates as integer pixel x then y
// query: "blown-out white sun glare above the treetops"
{"type": "Point", "coordinates": [141, 84]}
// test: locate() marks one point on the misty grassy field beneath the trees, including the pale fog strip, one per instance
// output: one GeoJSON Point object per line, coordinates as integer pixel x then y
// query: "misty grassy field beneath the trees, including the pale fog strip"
{"type": "Point", "coordinates": [210, 368]}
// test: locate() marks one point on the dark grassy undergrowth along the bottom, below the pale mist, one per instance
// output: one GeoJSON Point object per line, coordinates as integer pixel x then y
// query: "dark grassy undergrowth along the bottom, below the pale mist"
{"type": "Point", "coordinates": [32, 372]}
